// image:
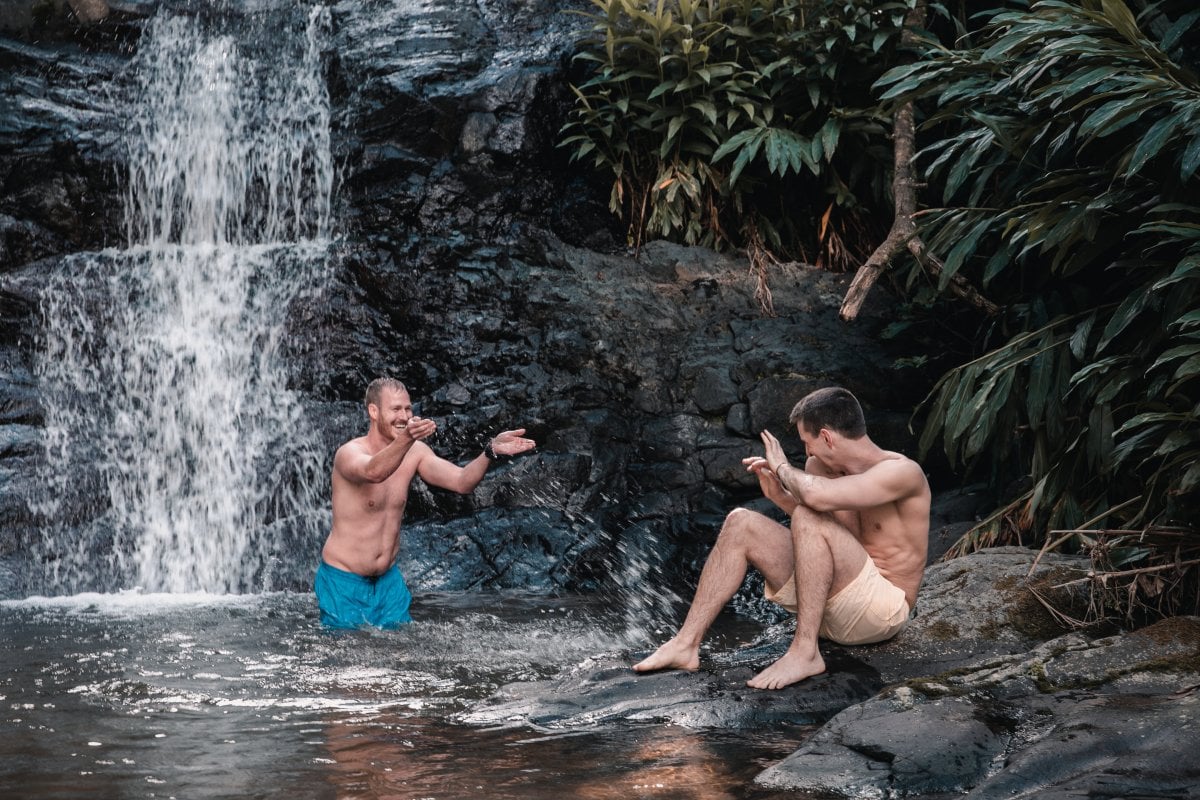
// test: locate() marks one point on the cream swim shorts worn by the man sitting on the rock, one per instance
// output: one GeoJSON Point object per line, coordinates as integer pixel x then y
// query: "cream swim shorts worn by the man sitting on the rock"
{"type": "Point", "coordinates": [869, 610]}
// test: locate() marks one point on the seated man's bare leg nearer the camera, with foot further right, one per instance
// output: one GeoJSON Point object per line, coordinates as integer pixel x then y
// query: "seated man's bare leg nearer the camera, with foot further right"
{"type": "Point", "coordinates": [827, 560]}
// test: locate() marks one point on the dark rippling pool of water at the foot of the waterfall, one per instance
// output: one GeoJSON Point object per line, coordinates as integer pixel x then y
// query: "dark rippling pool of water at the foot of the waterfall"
{"type": "Point", "coordinates": [199, 696]}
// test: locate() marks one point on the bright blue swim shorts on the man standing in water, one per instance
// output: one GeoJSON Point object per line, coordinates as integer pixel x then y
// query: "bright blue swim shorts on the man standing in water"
{"type": "Point", "coordinates": [350, 600]}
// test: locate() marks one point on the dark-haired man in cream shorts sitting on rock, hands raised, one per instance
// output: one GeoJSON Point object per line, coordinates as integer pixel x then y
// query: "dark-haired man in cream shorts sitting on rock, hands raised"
{"type": "Point", "coordinates": [851, 563]}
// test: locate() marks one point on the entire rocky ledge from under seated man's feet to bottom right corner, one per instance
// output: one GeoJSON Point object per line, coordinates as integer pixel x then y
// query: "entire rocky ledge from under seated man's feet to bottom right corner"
{"type": "Point", "coordinates": [983, 696]}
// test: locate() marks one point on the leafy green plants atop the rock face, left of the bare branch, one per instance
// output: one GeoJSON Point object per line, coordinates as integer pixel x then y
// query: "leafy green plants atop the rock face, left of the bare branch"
{"type": "Point", "coordinates": [741, 123]}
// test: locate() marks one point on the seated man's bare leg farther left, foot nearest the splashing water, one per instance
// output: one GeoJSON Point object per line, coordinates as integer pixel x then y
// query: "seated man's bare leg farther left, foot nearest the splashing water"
{"type": "Point", "coordinates": [747, 539]}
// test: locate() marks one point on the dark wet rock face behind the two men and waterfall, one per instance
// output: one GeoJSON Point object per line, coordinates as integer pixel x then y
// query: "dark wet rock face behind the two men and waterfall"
{"type": "Point", "coordinates": [477, 264]}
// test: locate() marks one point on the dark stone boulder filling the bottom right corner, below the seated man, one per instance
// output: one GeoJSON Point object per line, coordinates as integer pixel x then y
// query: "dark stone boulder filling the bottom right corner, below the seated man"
{"type": "Point", "coordinates": [1117, 718]}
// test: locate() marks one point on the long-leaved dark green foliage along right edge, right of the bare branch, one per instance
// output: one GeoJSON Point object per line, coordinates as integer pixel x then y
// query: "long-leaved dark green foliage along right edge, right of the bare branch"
{"type": "Point", "coordinates": [1067, 152]}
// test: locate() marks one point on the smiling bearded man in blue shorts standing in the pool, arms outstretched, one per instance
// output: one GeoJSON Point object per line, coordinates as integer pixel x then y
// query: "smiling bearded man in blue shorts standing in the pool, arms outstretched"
{"type": "Point", "coordinates": [358, 582]}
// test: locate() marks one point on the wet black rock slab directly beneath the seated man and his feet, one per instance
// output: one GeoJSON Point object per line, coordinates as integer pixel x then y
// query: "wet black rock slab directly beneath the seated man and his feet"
{"type": "Point", "coordinates": [965, 615]}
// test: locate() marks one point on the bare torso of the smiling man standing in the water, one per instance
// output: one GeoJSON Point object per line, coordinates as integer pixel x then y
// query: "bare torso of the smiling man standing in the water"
{"type": "Point", "coordinates": [365, 536]}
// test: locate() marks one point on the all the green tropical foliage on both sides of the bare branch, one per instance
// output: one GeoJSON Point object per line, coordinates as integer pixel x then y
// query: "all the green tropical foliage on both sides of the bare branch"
{"type": "Point", "coordinates": [1060, 159]}
